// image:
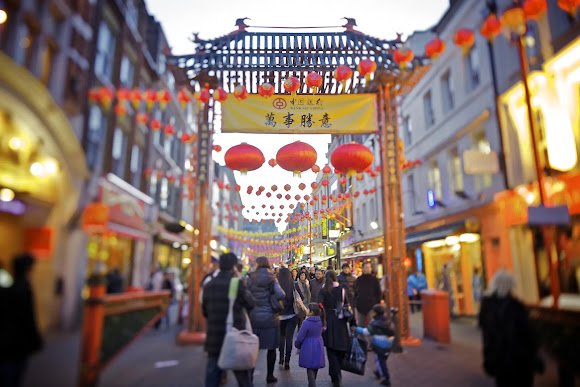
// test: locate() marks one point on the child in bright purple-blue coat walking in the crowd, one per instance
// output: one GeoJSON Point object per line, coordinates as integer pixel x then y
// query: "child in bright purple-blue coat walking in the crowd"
{"type": "Point", "coordinates": [309, 342]}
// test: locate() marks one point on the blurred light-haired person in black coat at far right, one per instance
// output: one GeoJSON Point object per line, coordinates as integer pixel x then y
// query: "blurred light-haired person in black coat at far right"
{"type": "Point", "coordinates": [510, 349]}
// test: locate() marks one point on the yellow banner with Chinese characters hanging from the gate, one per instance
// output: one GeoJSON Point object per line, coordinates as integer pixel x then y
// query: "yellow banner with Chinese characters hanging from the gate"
{"type": "Point", "coordinates": [334, 114]}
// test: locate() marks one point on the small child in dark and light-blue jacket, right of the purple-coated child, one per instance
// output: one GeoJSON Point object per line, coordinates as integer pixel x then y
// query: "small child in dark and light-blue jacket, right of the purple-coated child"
{"type": "Point", "coordinates": [382, 332]}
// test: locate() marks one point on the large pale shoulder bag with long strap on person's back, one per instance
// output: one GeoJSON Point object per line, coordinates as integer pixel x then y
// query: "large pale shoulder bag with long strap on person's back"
{"type": "Point", "coordinates": [240, 347]}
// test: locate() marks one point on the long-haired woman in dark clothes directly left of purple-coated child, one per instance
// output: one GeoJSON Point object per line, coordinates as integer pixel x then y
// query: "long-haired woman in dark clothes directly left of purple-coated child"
{"type": "Point", "coordinates": [288, 317]}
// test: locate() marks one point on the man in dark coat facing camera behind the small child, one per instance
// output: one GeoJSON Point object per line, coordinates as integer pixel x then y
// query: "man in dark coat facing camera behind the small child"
{"type": "Point", "coordinates": [367, 293]}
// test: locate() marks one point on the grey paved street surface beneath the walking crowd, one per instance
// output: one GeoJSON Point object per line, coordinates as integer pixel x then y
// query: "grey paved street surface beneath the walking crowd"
{"type": "Point", "coordinates": [458, 364]}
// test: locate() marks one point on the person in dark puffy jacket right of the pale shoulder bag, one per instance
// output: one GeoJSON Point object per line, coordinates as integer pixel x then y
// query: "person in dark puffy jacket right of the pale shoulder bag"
{"type": "Point", "coordinates": [265, 321]}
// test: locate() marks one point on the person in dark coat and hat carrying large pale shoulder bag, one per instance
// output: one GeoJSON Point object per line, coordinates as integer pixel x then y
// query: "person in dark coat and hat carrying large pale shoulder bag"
{"type": "Point", "coordinates": [215, 308]}
